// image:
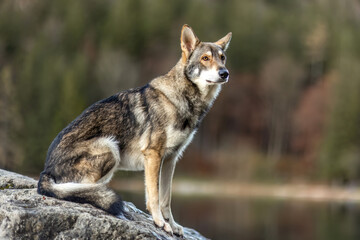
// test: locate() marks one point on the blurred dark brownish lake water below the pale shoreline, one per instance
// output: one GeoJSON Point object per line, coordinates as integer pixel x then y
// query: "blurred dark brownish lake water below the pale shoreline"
{"type": "Point", "coordinates": [262, 219]}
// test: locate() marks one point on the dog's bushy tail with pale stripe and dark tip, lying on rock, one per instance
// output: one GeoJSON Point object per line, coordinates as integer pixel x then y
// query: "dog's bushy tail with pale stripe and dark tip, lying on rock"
{"type": "Point", "coordinates": [95, 194]}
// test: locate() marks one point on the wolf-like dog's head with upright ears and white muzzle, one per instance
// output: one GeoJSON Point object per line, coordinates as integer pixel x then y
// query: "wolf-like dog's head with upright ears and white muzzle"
{"type": "Point", "coordinates": [205, 61]}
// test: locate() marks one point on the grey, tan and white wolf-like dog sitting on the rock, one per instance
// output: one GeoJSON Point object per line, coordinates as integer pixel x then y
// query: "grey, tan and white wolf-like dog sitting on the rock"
{"type": "Point", "coordinates": [145, 128]}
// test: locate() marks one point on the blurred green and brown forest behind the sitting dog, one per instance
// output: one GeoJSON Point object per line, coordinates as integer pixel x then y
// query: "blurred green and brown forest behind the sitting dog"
{"type": "Point", "coordinates": [291, 110]}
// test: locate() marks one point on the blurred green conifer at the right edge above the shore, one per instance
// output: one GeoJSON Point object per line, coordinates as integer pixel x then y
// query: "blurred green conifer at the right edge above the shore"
{"type": "Point", "coordinates": [340, 160]}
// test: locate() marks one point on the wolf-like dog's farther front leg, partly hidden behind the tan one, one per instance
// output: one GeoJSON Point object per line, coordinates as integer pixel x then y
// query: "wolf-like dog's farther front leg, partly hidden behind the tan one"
{"type": "Point", "coordinates": [167, 172]}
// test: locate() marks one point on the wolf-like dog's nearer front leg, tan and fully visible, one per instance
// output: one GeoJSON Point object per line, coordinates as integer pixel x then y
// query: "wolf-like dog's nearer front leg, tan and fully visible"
{"type": "Point", "coordinates": [152, 171]}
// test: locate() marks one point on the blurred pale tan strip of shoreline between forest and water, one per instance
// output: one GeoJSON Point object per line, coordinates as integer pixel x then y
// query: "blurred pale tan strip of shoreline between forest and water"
{"type": "Point", "coordinates": [303, 192]}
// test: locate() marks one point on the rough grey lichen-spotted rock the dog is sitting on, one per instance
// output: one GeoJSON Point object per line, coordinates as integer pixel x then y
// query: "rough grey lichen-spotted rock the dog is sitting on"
{"type": "Point", "coordinates": [24, 214]}
